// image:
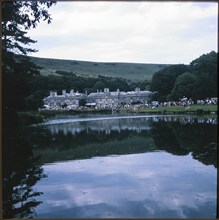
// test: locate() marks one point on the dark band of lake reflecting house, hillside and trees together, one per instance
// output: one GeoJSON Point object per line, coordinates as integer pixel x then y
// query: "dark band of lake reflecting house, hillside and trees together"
{"type": "Point", "coordinates": [86, 137]}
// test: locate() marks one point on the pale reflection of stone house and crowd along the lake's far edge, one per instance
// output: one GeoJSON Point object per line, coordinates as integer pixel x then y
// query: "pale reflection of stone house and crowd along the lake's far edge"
{"type": "Point", "coordinates": [108, 124]}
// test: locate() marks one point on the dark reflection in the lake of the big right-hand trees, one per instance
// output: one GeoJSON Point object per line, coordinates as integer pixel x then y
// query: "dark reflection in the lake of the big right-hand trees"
{"type": "Point", "coordinates": [181, 138]}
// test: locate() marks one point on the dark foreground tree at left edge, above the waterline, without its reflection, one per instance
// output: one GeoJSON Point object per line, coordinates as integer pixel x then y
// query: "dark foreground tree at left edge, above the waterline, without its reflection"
{"type": "Point", "coordinates": [17, 18]}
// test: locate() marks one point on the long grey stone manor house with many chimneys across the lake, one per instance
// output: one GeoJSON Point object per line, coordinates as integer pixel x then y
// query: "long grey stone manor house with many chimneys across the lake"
{"type": "Point", "coordinates": [99, 99]}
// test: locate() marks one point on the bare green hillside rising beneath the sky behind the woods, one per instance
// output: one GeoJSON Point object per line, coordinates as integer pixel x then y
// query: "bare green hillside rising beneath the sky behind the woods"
{"type": "Point", "coordinates": [130, 71]}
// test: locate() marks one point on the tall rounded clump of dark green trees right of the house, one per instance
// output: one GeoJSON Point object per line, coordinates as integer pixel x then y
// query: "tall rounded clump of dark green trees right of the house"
{"type": "Point", "coordinates": [197, 80]}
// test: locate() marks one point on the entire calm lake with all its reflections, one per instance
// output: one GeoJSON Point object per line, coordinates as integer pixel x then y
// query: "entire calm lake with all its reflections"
{"type": "Point", "coordinates": [113, 166]}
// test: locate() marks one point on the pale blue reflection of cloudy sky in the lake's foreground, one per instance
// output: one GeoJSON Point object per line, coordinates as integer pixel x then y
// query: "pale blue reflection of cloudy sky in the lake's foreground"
{"type": "Point", "coordinates": [154, 185]}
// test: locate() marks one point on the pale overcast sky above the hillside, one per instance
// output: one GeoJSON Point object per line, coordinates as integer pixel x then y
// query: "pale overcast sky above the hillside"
{"type": "Point", "coordinates": [137, 32]}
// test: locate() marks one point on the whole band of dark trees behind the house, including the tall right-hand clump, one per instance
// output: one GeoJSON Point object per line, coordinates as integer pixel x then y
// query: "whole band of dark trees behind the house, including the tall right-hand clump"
{"type": "Point", "coordinates": [25, 91]}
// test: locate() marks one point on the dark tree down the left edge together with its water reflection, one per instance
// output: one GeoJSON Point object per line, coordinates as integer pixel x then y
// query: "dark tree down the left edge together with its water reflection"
{"type": "Point", "coordinates": [20, 173]}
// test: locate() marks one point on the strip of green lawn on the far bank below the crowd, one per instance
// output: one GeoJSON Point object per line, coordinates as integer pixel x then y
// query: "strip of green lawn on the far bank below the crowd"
{"type": "Point", "coordinates": [198, 109]}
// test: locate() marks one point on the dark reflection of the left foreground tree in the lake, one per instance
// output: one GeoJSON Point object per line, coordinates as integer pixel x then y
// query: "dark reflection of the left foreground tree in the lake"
{"type": "Point", "coordinates": [20, 174]}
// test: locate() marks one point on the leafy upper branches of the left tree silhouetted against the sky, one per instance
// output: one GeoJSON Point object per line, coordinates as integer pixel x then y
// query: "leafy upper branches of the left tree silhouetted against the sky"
{"type": "Point", "coordinates": [17, 17]}
